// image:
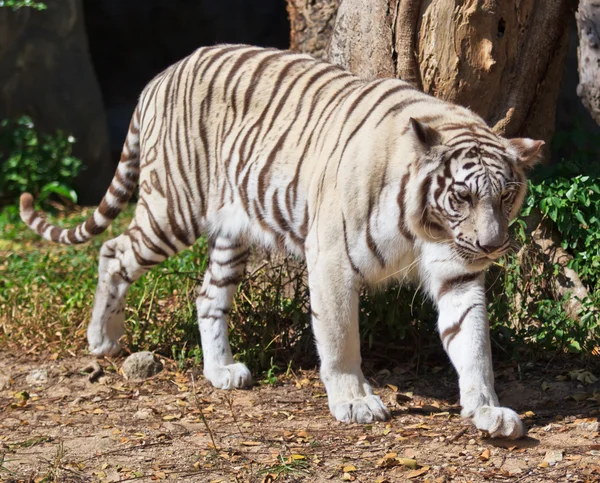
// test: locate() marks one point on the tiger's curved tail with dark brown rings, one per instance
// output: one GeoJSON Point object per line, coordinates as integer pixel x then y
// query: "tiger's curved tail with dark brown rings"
{"type": "Point", "coordinates": [115, 199]}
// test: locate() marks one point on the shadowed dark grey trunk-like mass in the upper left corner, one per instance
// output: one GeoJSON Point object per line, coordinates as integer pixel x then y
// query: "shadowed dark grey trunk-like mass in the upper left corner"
{"type": "Point", "coordinates": [46, 73]}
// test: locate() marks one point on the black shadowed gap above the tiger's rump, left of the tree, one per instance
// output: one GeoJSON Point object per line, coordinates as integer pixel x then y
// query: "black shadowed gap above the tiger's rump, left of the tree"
{"type": "Point", "coordinates": [130, 41]}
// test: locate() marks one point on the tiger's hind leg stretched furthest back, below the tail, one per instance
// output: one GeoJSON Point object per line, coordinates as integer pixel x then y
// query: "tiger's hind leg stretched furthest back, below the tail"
{"type": "Point", "coordinates": [120, 265]}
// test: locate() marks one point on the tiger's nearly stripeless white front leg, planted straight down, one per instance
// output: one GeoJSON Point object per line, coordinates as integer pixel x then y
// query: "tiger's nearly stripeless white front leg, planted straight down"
{"type": "Point", "coordinates": [334, 304]}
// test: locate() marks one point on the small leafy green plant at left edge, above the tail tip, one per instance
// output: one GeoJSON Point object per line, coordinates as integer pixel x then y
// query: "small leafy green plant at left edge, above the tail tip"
{"type": "Point", "coordinates": [39, 163]}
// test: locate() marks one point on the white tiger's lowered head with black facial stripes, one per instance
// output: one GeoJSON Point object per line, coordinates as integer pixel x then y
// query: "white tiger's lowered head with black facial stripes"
{"type": "Point", "coordinates": [474, 186]}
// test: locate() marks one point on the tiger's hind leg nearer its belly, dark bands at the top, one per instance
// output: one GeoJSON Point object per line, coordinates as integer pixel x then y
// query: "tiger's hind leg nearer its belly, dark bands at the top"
{"type": "Point", "coordinates": [226, 268]}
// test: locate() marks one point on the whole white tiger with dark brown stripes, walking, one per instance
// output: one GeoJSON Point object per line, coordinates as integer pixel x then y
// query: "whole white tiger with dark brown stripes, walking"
{"type": "Point", "coordinates": [367, 180]}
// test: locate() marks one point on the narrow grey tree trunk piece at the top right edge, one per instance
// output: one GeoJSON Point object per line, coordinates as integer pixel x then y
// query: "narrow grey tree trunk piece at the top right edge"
{"type": "Point", "coordinates": [588, 26]}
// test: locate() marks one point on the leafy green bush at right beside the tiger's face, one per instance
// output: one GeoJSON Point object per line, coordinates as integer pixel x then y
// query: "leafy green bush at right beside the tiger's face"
{"type": "Point", "coordinates": [567, 194]}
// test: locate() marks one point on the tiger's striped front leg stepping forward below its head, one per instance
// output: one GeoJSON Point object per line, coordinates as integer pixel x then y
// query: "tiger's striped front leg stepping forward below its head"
{"type": "Point", "coordinates": [464, 330]}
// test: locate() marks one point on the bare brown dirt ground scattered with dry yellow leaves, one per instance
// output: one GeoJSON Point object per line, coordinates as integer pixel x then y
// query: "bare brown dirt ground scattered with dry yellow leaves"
{"type": "Point", "coordinates": [69, 429]}
